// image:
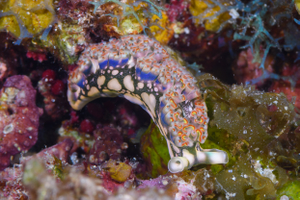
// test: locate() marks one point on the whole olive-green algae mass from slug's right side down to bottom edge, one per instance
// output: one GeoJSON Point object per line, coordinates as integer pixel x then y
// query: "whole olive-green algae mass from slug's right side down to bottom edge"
{"type": "Point", "coordinates": [254, 128]}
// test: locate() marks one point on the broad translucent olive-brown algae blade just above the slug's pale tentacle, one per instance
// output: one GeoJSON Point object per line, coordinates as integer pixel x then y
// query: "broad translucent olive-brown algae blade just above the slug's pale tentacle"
{"type": "Point", "coordinates": [250, 116]}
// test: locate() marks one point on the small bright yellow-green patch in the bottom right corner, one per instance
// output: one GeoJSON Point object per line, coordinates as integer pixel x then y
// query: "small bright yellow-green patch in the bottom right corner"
{"type": "Point", "coordinates": [291, 189]}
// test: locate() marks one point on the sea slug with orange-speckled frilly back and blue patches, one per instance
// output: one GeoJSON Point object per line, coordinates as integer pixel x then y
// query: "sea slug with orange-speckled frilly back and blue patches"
{"type": "Point", "coordinates": [141, 70]}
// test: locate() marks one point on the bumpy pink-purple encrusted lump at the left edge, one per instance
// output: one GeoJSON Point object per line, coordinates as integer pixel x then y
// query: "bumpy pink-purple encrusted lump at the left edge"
{"type": "Point", "coordinates": [19, 118]}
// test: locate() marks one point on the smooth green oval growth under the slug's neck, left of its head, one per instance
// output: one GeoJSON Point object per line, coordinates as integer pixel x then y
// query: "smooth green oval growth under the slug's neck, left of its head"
{"type": "Point", "coordinates": [155, 151]}
